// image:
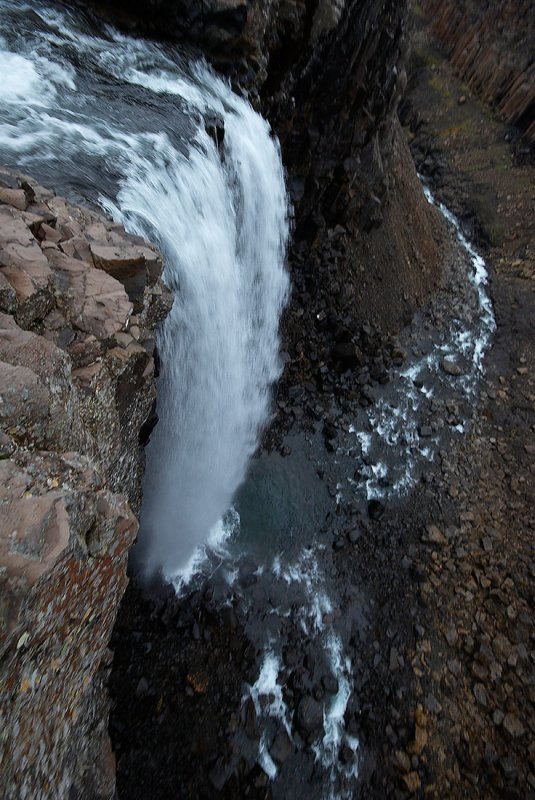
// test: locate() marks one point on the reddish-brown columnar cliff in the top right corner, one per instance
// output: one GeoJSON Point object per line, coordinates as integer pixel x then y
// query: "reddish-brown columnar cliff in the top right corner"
{"type": "Point", "coordinates": [491, 46]}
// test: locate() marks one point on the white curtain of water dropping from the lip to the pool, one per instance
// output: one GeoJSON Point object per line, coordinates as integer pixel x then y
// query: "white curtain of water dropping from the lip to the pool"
{"type": "Point", "coordinates": [219, 347]}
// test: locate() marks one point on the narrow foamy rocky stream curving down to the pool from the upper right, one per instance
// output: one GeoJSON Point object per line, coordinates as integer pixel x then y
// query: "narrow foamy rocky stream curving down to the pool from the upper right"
{"type": "Point", "coordinates": [393, 423]}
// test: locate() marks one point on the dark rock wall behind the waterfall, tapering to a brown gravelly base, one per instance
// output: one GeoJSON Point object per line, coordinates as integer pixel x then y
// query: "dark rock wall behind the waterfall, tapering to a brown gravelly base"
{"type": "Point", "coordinates": [329, 75]}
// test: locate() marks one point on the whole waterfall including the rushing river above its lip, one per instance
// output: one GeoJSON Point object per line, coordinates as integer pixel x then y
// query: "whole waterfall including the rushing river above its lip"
{"type": "Point", "coordinates": [123, 121]}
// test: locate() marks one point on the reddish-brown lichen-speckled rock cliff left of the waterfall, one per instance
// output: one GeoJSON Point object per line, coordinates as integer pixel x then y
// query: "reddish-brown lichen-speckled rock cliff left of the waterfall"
{"type": "Point", "coordinates": [79, 300]}
